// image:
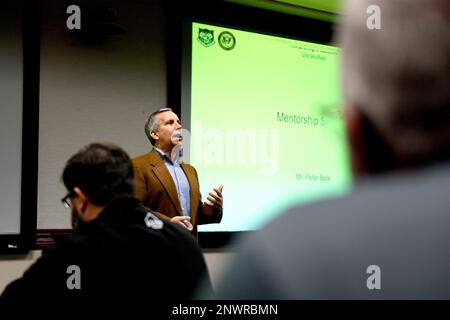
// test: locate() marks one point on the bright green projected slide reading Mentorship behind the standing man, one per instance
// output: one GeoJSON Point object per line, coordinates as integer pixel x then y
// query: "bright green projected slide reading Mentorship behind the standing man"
{"type": "Point", "coordinates": [266, 122]}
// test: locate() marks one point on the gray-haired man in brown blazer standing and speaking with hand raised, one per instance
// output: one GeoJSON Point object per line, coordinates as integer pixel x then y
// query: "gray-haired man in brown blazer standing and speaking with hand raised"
{"type": "Point", "coordinates": [168, 186]}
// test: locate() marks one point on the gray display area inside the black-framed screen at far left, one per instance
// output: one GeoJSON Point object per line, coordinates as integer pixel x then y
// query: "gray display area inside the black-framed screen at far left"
{"type": "Point", "coordinates": [11, 78]}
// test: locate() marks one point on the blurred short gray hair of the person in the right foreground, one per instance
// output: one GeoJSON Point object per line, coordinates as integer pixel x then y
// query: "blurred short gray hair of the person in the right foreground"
{"type": "Point", "coordinates": [399, 76]}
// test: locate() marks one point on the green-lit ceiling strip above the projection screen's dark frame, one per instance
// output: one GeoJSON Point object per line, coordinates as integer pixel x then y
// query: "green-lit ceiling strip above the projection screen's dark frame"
{"type": "Point", "coordinates": [318, 9]}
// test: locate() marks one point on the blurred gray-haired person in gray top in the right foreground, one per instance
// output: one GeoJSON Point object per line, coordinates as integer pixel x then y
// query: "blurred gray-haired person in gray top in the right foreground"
{"type": "Point", "coordinates": [390, 237]}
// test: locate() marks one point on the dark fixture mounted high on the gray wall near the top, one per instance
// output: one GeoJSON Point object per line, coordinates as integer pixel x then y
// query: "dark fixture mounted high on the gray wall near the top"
{"type": "Point", "coordinates": [99, 20]}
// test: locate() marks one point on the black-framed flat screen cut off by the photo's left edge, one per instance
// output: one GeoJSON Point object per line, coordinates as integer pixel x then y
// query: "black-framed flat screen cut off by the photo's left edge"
{"type": "Point", "coordinates": [19, 62]}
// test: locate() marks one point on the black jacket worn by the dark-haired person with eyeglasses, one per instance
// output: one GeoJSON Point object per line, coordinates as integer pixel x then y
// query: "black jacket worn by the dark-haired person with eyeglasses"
{"type": "Point", "coordinates": [127, 256]}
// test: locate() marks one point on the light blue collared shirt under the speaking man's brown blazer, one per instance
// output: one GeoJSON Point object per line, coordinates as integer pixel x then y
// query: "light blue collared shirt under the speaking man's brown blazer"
{"type": "Point", "coordinates": [180, 180]}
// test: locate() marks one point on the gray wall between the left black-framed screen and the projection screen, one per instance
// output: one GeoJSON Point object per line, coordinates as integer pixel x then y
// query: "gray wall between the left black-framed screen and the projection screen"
{"type": "Point", "coordinates": [99, 92]}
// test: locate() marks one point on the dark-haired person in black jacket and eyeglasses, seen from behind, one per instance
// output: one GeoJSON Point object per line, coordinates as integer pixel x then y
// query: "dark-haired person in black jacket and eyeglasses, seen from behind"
{"type": "Point", "coordinates": [120, 254]}
